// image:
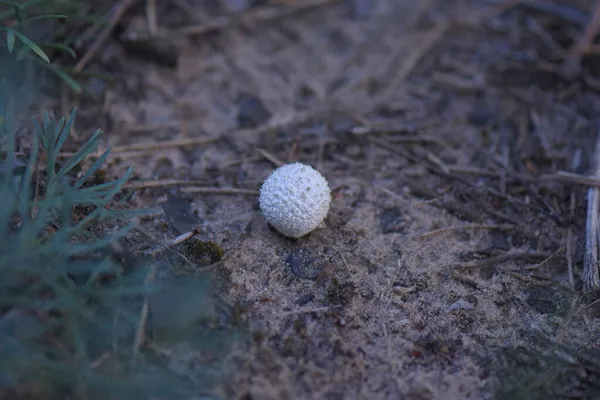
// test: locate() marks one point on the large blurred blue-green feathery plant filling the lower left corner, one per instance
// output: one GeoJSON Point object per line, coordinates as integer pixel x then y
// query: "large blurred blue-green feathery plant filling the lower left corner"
{"type": "Point", "coordinates": [71, 310]}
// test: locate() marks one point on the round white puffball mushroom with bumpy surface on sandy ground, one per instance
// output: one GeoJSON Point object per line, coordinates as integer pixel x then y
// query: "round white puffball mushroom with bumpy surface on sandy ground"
{"type": "Point", "coordinates": [295, 199]}
